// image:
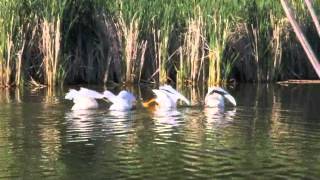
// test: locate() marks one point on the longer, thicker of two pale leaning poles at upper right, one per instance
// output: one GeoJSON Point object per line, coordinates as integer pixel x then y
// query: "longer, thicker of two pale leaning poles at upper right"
{"type": "Point", "coordinates": [306, 46]}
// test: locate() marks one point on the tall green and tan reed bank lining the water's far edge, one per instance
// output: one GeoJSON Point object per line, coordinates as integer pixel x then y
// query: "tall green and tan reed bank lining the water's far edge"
{"type": "Point", "coordinates": [50, 43]}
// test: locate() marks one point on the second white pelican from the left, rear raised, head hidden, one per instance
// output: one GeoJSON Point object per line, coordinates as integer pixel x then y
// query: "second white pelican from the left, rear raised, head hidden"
{"type": "Point", "coordinates": [124, 101]}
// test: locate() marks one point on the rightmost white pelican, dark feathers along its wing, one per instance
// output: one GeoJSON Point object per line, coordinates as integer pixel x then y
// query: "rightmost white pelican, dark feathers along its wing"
{"type": "Point", "coordinates": [215, 97]}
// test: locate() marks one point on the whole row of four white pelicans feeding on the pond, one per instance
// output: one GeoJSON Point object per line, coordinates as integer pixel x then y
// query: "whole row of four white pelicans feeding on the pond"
{"type": "Point", "coordinates": [166, 98]}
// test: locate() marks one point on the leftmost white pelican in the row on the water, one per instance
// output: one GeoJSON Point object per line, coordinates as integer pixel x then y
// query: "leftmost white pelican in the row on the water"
{"type": "Point", "coordinates": [84, 98]}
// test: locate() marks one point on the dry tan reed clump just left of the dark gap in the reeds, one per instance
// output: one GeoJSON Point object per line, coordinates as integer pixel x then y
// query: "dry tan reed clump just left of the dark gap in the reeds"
{"type": "Point", "coordinates": [51, 39]}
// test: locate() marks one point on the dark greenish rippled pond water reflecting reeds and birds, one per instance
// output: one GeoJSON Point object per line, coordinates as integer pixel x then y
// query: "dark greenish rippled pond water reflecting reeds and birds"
{"type": "Point", "coordinates": [274, 132]}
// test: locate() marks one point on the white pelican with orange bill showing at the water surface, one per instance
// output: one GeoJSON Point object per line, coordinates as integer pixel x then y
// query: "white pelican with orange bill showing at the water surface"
{"type": "Point", "coordinates": [166, 98]}
